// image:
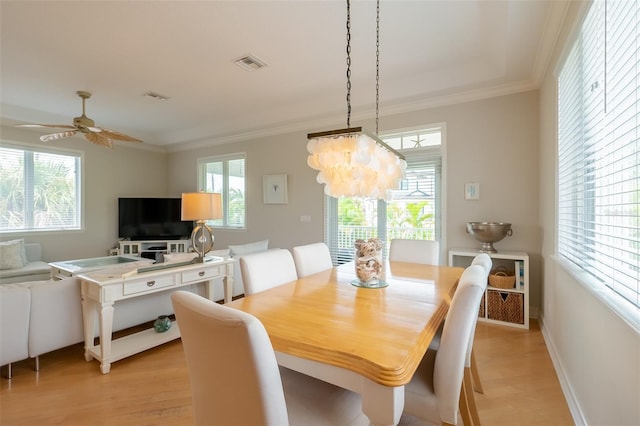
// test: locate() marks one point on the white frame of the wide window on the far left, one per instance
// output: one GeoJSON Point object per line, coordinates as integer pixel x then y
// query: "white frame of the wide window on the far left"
{"type": "Point", "coordinates": [79, 161]}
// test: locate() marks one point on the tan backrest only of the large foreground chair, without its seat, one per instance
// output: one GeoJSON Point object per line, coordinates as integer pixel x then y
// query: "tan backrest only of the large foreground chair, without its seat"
{"type": "Point", "coordinates": [232, 367]}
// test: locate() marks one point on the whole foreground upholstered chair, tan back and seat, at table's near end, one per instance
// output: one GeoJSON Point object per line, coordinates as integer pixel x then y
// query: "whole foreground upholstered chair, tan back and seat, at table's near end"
{"type": "Point", "coordinates": [235, 378]}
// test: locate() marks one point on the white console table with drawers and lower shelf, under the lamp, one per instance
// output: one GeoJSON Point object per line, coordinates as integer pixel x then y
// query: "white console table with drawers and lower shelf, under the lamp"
{"type": "Point", "coordinates": [102, 289]}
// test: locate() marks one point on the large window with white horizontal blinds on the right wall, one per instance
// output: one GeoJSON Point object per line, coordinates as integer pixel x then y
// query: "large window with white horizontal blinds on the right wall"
{"type": "Point", "coordinates": [598, 149]}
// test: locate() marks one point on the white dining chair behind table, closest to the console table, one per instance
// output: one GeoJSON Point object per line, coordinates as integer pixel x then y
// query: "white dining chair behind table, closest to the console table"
{"type": "Point", "coordinates": [267, 269]}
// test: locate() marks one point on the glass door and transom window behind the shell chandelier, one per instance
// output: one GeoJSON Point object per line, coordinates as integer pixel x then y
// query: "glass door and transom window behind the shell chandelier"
{"type": "Point", "coordinates": [413, 212]}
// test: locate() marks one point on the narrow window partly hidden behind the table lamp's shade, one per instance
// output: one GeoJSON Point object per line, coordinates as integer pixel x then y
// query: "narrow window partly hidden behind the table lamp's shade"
{"type": "Point", "coordinates": [226, 175]}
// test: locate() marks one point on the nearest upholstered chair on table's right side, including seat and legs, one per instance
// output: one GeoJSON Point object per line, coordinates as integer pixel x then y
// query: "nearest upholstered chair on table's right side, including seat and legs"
{"type": "Point", "coordinates": [435, 393]}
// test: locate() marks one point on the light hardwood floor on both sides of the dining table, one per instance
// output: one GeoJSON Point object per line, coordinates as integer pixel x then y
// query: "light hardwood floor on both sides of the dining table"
{"type": "Point", "coordinates": [152, 388]}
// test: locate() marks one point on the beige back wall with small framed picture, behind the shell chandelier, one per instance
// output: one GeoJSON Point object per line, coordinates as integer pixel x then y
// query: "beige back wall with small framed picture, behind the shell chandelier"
{"type": "Point", "coordinates": [493, 142]}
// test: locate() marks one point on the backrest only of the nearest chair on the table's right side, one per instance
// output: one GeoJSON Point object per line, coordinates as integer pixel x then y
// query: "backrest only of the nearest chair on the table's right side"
{"type": "Point", "coordinates": [451, 356]}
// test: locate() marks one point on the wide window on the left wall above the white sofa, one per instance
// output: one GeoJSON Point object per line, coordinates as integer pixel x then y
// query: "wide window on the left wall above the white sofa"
{"type": "Point", "coordinates": [39, 190]}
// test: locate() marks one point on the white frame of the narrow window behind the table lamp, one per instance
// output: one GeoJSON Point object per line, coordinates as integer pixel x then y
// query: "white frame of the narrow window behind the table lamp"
{"type": "Point", "coordinates": [224, 159]}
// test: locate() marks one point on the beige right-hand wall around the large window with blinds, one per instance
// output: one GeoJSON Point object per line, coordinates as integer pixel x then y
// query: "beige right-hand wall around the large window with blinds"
{"type": "Point", "coordinates": [596, 354]}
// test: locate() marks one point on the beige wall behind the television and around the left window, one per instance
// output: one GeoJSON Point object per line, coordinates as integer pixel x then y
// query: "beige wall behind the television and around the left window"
{"type": "Point", "coordinates": [108, 174]}
